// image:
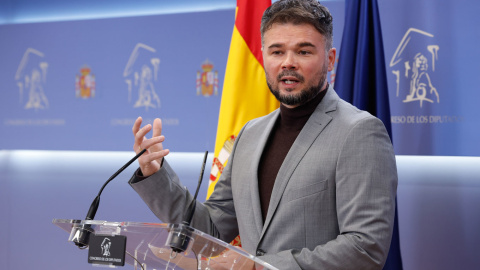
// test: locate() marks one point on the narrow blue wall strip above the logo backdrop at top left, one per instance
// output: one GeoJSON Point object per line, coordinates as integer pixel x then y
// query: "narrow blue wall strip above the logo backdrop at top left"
{"type": "Point", "coordinates": [29, 11]}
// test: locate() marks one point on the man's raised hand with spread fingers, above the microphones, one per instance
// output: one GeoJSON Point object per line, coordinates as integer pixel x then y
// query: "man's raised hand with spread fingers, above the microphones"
{"type": "Point", "coordinates": [151, 161]}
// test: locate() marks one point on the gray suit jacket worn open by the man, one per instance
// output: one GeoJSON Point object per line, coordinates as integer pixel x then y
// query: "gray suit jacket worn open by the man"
{"type": "Point", "coordinates": [332, 205]}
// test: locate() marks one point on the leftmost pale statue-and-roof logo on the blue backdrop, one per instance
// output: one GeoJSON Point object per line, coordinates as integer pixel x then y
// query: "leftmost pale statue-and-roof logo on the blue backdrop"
{"type": "Point", "coordinates": [31, 77]}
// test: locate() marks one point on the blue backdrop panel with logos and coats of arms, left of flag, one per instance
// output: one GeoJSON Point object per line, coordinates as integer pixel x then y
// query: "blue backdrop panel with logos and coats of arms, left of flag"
{"type": "Point", "coordinates": [138, 66]}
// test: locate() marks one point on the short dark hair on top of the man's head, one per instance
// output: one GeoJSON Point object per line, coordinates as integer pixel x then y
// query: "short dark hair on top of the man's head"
{"type": "Point", "coordinates": [300, 12]}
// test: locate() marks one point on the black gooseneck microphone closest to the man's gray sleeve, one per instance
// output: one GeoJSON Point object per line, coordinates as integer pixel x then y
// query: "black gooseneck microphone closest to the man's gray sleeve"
{"type": "Point", "coordinates": [180, 235]}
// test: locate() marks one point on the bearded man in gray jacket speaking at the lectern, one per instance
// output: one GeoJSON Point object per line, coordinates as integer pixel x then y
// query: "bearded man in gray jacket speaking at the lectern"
{"type": "Point", "coordinates": [309, 186]}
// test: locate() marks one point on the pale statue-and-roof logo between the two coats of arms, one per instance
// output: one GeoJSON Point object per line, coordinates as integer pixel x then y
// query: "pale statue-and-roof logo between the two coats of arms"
{"type": "Point", "coordinates": [141, 74]}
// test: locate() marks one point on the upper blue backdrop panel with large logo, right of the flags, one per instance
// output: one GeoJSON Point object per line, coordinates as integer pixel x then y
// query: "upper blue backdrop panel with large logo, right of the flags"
{"type": "Point", "coordinates": [431, 69]}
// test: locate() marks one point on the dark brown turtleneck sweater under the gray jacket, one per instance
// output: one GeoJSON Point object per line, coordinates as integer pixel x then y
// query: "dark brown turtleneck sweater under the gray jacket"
{"type": "Point", "coordinates": [286, 129]}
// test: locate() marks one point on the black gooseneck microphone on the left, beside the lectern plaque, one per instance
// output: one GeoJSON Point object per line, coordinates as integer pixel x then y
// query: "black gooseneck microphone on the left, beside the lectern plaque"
{"type": "Point", "coordinates": [82, 234]}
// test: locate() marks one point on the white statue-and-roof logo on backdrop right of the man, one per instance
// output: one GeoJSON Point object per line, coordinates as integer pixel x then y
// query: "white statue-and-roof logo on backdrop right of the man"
{"type": "Point", "coordinates": [413, 62]}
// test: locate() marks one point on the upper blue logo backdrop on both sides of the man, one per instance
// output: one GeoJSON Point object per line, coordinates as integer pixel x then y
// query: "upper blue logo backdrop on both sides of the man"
{"type": "Point", "coordinates": [148, 66]}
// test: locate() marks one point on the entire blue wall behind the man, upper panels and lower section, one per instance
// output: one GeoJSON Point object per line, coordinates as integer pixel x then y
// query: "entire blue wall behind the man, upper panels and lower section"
{"type": "Point", "coordinates": [57, 39]}
